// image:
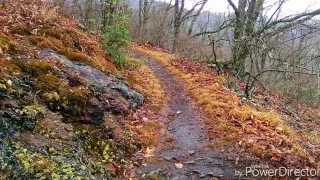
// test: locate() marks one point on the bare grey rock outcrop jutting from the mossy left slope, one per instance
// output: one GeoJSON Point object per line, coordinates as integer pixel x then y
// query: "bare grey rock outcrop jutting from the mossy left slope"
{"type": "Point", "coordinates": [108, 88]}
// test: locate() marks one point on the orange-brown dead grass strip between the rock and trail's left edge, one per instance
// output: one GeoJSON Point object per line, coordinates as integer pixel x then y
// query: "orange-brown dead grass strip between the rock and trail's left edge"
{"type": "Point", "coordinates": [141, 78]}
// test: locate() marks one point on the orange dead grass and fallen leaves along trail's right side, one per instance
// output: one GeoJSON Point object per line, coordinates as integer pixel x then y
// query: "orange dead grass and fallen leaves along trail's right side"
{"type": "Point", "coordinates": [265, 132]}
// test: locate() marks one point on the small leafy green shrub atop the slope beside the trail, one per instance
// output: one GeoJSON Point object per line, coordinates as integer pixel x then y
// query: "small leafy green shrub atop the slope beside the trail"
{"type": "Point", "coordinates": [114, 38]}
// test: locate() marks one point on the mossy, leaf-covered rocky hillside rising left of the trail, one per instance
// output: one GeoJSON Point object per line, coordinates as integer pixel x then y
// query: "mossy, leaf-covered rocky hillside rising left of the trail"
{"type": "Point", "coordinates": [62, 100]}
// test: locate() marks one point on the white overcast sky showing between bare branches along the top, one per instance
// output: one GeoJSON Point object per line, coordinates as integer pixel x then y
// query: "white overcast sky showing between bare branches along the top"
{"type": "Point", "coordinates": [291, 7]}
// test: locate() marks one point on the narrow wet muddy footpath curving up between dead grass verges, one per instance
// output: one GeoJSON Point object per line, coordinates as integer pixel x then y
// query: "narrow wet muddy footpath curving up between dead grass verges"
{"type": "Point", "coordinates": [189, 147]}
